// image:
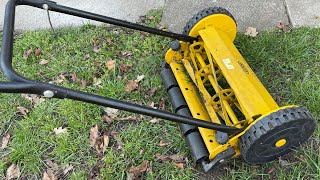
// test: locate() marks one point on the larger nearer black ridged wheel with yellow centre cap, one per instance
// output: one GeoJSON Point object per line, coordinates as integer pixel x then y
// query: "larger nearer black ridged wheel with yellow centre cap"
{"type": "Point", "coordinates": [276, 134]}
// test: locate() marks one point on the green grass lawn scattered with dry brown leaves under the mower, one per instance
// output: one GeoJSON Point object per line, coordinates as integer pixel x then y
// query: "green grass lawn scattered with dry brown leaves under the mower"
{"type": "Point", "coordinates": [103, 60]}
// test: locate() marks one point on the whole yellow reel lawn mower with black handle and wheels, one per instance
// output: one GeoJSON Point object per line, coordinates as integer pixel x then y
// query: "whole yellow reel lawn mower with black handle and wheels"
{"type": "Point", "coordinates": [222, 108]}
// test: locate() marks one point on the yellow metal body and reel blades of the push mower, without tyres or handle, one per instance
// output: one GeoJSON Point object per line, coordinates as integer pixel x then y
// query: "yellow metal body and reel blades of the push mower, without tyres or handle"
{"type": "Point", "coordinates": [211, 63]}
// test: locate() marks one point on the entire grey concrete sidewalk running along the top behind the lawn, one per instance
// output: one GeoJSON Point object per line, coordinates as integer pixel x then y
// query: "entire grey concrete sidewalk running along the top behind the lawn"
{"type": "Point", "coordinates": [259, 14]}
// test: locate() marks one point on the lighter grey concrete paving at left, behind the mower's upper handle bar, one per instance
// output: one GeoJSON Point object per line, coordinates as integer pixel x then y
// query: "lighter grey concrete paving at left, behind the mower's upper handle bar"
{"type": "Point", "coordinates": [29, 18]}
